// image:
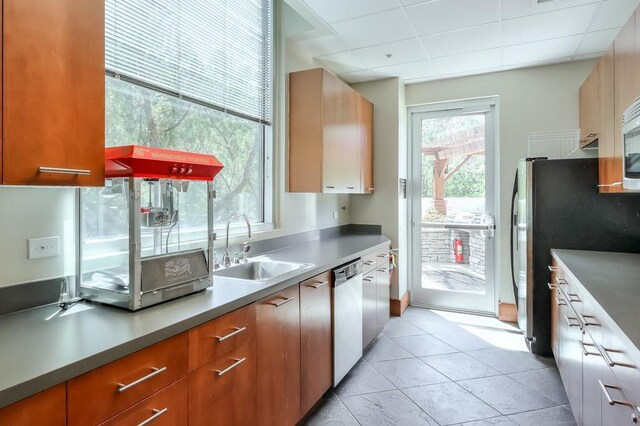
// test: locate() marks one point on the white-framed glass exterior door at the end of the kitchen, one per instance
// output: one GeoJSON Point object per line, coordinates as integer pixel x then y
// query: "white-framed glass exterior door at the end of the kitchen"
{"type": "Point", "coordinates": [452, 207]}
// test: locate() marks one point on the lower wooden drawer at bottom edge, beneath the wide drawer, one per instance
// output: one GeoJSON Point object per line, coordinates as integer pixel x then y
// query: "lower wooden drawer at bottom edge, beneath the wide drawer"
{"type": "Point", "coordinates": [165, 408]}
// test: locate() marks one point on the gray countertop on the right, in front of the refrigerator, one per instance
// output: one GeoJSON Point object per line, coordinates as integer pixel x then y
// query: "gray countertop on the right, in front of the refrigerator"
{"type": "Point", "coordinates": [613, 279]}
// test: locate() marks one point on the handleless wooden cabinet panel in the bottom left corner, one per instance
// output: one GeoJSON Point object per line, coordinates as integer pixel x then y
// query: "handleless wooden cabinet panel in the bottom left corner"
{"type": "Point", "coordinates": [47, 408]}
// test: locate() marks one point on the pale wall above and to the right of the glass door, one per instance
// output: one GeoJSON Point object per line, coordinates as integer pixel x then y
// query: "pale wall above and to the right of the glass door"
{"type": "Point", "coordinates": [532, 99]}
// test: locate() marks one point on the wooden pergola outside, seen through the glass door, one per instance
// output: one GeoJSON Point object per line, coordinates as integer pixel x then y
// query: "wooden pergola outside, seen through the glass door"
{"type": "Point", "coordinates": [467, 143]}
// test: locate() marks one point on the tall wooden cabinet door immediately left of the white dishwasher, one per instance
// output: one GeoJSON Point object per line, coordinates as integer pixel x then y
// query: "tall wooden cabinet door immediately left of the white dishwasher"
{"type": "Point", "coordinates": [316, 355]}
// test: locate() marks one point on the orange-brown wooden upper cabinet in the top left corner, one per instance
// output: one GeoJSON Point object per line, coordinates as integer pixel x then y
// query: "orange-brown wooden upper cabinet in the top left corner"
{"type": "Point", "coordinates": [53, 92]}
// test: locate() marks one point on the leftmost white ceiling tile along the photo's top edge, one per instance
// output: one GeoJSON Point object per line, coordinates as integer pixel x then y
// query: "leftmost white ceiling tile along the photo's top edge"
{"type": "Point", "coordinates": [339, 10]}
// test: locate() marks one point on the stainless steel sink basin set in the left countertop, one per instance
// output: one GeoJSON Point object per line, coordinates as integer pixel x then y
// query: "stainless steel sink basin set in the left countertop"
{"type": "Point", "coordinates": [261, 271]}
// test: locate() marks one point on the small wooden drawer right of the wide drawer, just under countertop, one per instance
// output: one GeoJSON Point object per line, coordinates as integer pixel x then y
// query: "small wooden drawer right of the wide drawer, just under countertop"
{"type": "Point", "coordinates": [215, 338]}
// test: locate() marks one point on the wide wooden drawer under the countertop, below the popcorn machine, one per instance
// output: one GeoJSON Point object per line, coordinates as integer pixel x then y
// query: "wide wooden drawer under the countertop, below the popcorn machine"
{"type": "Point", "coordinates": [105, 391]}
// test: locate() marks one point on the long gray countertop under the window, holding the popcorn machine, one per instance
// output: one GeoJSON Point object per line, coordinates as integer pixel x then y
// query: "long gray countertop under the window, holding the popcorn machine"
{"type": "Point", "coordinates": [43, 347]}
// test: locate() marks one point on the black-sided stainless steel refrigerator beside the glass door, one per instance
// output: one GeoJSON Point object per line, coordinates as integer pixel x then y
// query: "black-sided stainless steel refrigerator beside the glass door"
{"type": "Point", "coordinates": [556, 204]}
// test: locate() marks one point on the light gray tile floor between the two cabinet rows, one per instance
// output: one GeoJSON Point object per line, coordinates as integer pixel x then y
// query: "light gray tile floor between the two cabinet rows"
{"type": "Point", "coordinates": [441, 368]}
